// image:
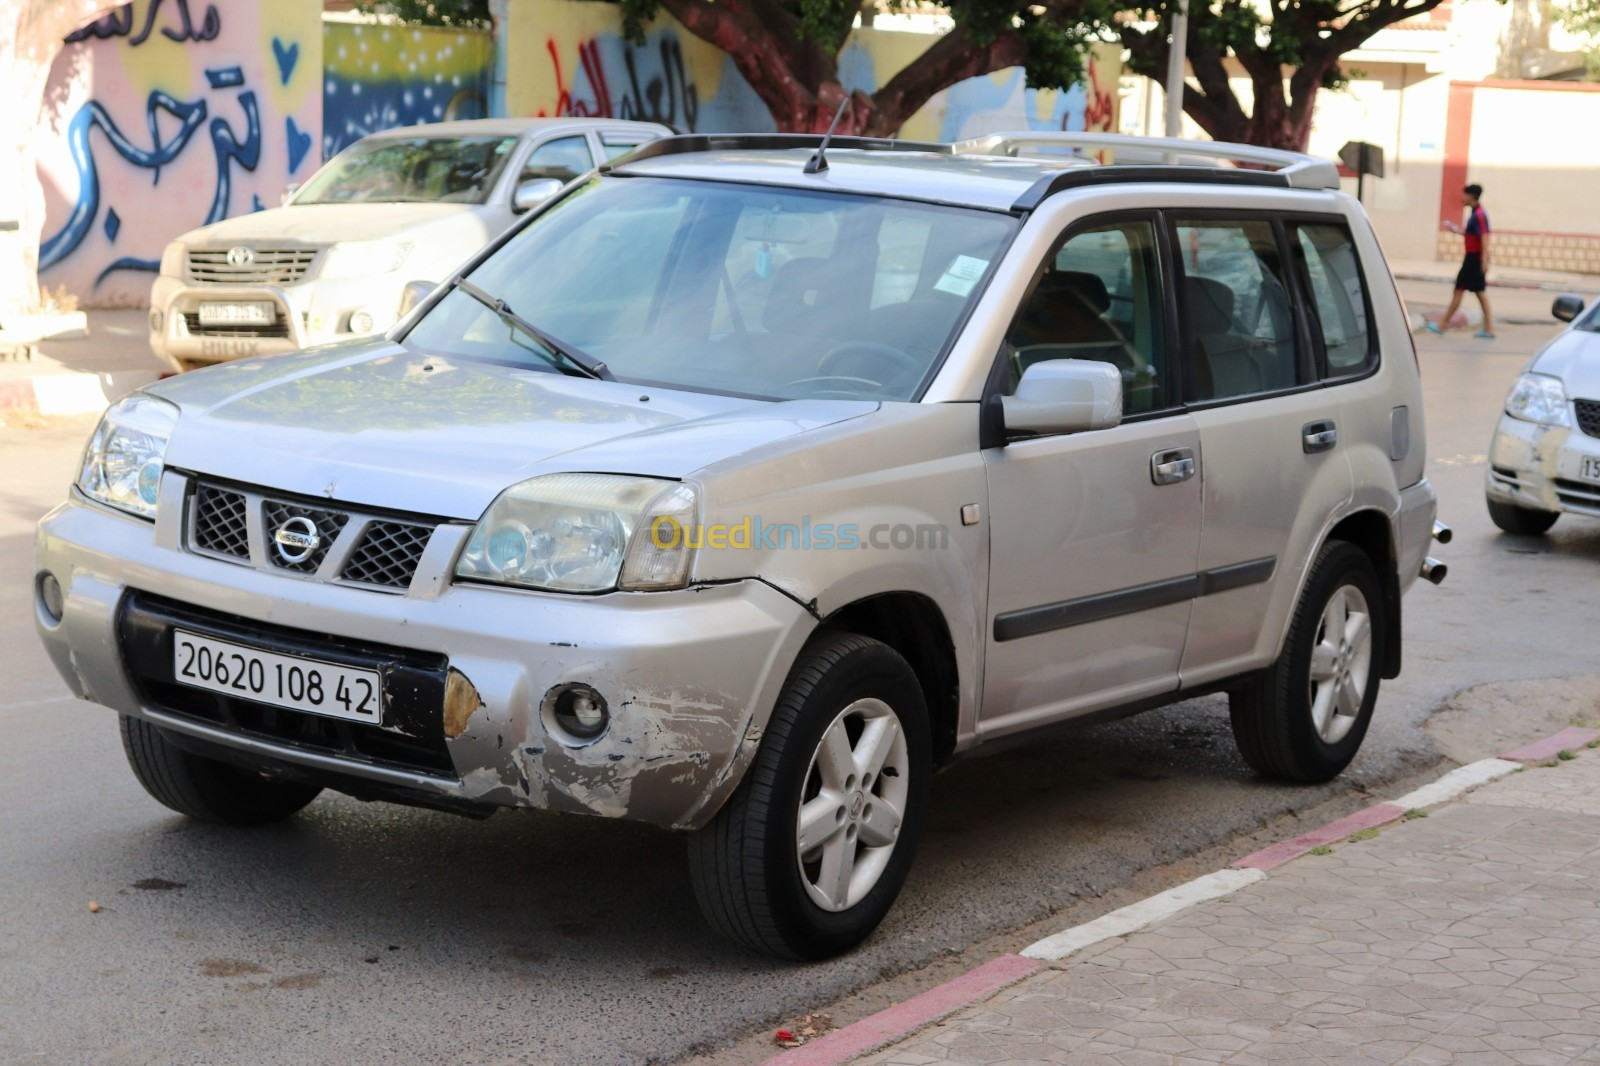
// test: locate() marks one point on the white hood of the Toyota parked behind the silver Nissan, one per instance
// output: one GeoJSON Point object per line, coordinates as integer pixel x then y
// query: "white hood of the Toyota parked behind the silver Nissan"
{"type": "Point", "coordinates": [329, 223]}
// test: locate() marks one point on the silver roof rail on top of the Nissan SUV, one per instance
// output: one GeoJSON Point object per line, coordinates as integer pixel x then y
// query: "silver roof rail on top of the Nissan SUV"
{"type": "Point", "coordinates": [1295, 169]}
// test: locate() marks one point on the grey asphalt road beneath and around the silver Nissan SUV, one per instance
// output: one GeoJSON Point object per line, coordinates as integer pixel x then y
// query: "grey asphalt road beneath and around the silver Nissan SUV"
{"type": "Point", "coordinates": [380, 934]}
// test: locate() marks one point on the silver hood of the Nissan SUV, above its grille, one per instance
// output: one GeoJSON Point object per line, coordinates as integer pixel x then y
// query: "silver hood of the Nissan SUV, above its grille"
{"type": "Point", "coordinates": [383, 427]}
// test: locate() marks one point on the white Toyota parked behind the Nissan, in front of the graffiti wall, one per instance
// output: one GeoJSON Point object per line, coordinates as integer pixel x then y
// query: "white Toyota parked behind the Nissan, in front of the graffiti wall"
{"type": "Point", "coordinates": [396, 207]}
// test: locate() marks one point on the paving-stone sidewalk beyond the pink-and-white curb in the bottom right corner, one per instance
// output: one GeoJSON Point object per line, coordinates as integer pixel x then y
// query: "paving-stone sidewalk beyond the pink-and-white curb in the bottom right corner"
{"type": "Point", "coordinates": [1466, 937]}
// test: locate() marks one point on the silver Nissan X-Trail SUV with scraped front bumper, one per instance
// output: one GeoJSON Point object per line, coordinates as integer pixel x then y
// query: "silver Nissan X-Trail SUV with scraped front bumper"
{"type": "Point", "coordinates": [743, 486]}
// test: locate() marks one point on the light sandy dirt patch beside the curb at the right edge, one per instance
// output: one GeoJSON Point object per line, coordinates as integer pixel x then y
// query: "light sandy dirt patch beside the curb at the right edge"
{"type": "Point", "coordinates": [1497, 718]}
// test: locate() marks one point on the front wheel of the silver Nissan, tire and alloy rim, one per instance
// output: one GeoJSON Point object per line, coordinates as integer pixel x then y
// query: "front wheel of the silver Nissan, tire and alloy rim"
{"type": "Point", "coordinates": [815, 846]}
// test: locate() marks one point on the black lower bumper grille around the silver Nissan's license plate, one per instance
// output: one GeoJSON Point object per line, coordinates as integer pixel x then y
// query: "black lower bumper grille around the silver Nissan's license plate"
{"type": "Point", "coordinates": [412, 735]}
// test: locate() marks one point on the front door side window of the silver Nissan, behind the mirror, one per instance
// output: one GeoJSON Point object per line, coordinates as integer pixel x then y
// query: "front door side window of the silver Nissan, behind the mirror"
{"type": "Point", "coordinates": [1100, 299]}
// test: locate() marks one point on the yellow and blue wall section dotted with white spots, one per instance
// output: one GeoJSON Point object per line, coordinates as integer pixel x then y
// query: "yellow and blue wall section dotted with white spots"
{"type": "Point", "coordinates": [378, 78]}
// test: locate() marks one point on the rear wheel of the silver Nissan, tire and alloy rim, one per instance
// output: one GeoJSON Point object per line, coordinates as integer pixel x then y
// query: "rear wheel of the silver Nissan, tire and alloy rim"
{"type": "Point", "coordinates": [1306, 716]}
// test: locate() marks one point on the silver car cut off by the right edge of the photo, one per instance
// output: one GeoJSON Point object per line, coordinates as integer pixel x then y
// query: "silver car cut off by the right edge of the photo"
{"type": "Point", "coordinates": [1545, 459]}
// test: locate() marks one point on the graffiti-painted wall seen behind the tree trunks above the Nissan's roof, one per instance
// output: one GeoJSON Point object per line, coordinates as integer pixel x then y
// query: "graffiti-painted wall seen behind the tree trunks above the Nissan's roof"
{"type": "Point", "coordinates": [578, 65]}
